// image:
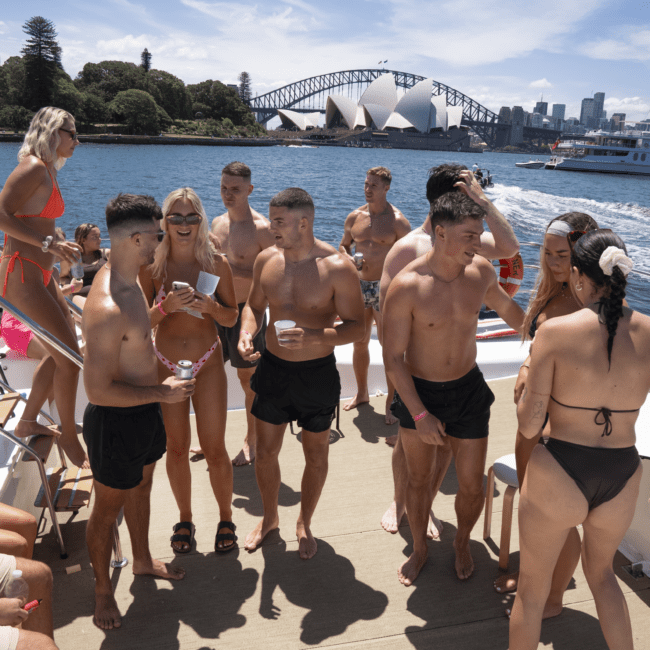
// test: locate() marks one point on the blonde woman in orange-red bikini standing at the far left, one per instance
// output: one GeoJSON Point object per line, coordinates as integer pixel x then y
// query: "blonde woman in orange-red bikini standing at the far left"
{"type": "Point", "coordinates": [30, 202]}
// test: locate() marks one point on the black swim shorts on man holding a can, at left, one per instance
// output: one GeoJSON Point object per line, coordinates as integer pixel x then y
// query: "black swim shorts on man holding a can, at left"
{"type": "Point", "coordinates": [121, 441]}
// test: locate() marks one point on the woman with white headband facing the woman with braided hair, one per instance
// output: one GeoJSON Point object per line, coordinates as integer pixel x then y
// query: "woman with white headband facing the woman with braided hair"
{"type": "Point", "coordinates": [551, 298]}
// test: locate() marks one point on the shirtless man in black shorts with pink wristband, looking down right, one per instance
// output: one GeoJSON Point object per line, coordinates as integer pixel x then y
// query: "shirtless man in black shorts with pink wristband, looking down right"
{"type": "Point", "coordinates": [430, 317]}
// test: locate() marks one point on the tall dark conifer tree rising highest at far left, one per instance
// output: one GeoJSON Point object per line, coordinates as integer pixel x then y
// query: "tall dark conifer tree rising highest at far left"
{"type": "Point", "coordinates": [42, 56]}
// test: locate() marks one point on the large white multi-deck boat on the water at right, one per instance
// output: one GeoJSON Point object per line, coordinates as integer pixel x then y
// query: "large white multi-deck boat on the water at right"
{"type": "Point", "coordinates": [610, 153]}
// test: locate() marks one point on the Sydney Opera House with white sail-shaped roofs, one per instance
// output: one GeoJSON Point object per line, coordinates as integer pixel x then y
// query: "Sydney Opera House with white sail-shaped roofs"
{"type": "Point", "coordinates": [380, 109]}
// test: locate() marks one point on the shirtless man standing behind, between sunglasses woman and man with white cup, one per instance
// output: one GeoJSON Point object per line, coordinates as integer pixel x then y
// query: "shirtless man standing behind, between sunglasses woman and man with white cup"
{"type": "Point", "coordinates": [241, 233]}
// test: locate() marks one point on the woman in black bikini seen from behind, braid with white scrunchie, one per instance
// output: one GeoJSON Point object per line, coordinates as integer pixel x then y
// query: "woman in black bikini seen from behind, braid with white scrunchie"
{"type": "Point", "coordinates": [591, 371]}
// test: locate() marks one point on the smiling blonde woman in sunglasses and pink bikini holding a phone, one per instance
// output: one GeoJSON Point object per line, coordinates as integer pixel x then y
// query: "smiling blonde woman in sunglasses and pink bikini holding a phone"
{"type": "Point", "coordinates": [184, 252]}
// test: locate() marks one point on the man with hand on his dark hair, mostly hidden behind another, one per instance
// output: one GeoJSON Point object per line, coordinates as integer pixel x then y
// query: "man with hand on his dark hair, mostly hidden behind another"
{"type": "Point", "coordinates": [500, 242]}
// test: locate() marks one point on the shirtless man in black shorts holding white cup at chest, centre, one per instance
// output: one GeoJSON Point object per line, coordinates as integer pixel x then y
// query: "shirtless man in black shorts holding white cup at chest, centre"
{"type": "Point", "coordinates": [307, 281]}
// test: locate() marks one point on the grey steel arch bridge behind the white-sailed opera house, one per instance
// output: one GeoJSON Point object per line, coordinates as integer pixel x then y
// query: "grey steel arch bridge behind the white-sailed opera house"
{"type": "Point", "coordinates": [310, 95]}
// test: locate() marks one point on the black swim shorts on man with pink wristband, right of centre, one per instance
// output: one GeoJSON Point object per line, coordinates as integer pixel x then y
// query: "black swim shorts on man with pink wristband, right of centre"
{"type": "Point", "coordinates": [463, 405]}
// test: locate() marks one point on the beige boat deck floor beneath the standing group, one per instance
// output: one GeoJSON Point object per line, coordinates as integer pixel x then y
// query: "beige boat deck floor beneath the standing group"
{"type": "Point", "coordinates": [348, 595]}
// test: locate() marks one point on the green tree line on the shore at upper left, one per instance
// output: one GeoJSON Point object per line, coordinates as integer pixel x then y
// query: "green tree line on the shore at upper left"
{"type": "Point", "coordinates": [145, 100]}
